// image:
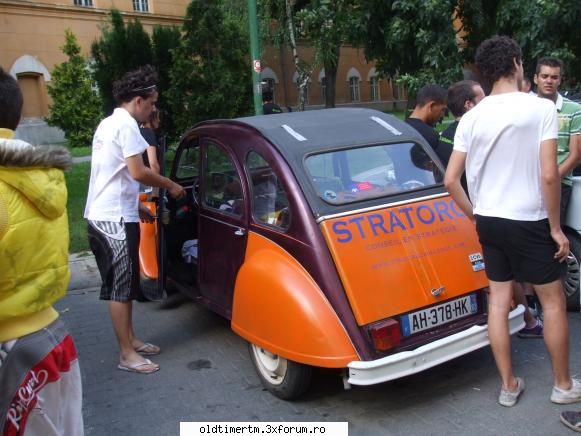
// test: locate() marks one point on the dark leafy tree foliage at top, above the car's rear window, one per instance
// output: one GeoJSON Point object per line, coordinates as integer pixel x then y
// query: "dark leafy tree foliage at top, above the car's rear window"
{"type": "Point", "coordinates": [414, 40]}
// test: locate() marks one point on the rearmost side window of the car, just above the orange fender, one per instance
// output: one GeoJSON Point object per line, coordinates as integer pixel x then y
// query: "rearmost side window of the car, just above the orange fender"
{"type": "Point", "coordinates": [269, 199]}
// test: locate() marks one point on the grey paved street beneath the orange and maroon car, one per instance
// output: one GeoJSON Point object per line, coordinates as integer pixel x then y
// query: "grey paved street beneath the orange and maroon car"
{"type": "Point", "coordinates": [206, 375]}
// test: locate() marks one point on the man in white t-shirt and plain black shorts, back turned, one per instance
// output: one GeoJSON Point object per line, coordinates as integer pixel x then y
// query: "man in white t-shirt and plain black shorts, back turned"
{"type": "Point", "coordinates": [507, 144]}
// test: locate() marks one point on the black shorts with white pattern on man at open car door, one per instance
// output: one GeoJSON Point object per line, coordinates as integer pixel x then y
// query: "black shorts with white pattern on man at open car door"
{"type": "Point", "coordinates": [116, 250]}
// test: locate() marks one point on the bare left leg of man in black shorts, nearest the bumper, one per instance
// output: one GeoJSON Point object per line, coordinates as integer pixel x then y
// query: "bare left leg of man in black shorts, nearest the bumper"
{"type": "Point", "coordinates": [499, 301]}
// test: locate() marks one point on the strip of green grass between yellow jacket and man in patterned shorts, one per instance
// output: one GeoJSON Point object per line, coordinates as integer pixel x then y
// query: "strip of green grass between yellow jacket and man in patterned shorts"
{"type": "Point", "coordinates": [78, 184]}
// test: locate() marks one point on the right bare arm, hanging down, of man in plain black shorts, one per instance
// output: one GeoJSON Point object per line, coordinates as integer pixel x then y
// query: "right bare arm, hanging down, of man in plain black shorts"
{"type": "Point", "coordinates": [551, 187]}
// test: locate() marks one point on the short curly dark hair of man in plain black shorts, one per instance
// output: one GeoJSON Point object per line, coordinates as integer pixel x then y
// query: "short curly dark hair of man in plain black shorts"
{"type": "Point", "coordinates": [494, 58]}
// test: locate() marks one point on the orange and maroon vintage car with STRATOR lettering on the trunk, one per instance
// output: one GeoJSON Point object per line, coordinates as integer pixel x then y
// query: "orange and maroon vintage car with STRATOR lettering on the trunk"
{"type": "Point", "coordinates": [328, 240]}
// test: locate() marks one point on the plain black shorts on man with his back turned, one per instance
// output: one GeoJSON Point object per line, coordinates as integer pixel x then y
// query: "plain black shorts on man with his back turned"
{"type": "Point", "coordinates": [518, 250]}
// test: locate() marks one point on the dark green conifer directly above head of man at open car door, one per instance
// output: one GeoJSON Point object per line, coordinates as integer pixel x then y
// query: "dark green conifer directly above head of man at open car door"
{"type": "Point", "coordinates": [120, 49]}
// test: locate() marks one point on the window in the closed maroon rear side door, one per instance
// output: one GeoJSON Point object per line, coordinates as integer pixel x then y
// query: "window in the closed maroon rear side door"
{"type": "Point", "coordinates": [222, 188]}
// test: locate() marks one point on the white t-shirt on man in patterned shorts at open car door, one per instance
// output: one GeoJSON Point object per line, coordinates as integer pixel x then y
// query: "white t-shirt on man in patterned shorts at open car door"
{"type": "Point", "coordinates": [113, 193]}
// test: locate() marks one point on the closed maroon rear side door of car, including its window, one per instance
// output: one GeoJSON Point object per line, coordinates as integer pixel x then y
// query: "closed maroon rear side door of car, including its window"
{"type": "Point", "coordinates": [223, 225]}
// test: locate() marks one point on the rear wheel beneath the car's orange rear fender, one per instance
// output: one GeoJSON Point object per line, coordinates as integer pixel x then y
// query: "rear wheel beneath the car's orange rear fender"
{"type": "Point", "coordinates": [283, 378]}
